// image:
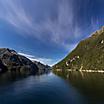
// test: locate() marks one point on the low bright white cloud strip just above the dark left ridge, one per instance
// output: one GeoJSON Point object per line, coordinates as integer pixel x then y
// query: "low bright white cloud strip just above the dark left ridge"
{"type": "Point", "coordinates": [42, 60]}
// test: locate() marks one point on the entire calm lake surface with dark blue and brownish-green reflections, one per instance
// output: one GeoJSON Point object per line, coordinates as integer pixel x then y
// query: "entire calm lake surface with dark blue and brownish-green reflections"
{"type": "Point", "coordinates": [76, 88]}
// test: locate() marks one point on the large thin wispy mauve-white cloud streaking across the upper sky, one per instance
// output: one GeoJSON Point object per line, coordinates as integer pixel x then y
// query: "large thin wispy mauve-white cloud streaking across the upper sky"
{"type": "Point", "coordinates": [58, 31]}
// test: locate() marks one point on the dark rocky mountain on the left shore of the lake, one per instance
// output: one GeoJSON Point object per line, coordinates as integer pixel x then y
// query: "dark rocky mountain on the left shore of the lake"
{"type": "Point", "coordinates": [11, 61]}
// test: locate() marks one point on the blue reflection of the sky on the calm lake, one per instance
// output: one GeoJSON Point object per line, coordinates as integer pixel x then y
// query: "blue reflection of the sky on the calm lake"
{"type": "Point", "coordinates": [44, 89]}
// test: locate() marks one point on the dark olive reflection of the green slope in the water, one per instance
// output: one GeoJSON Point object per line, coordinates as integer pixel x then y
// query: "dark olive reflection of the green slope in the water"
{"type": "Point", "coordinates": [90, 85]}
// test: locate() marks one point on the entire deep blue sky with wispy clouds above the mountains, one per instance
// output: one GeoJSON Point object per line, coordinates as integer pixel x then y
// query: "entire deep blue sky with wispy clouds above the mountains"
{"type": "Point", "coordinates": [47, 30]}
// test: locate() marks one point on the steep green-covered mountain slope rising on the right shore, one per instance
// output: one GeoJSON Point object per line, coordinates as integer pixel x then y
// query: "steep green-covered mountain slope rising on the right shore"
{"type": "Point", "coordinates": [88, 55]}
